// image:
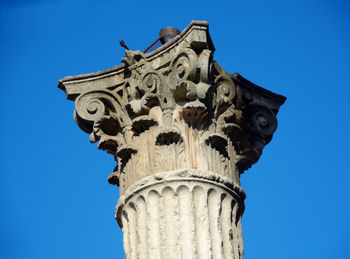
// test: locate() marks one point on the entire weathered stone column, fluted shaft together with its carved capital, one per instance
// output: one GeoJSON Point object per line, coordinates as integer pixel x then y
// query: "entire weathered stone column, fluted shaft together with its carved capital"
{"type": "Point", "coordinates": [182, 130]}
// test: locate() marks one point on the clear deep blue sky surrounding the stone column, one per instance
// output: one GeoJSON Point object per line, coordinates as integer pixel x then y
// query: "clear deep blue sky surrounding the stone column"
{"type": "Point", "coordinates": [54, 197]}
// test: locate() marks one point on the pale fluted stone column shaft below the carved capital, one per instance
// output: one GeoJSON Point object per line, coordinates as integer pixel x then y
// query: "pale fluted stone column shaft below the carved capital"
{"type": "Point", "coordinates": [182, 214]}
